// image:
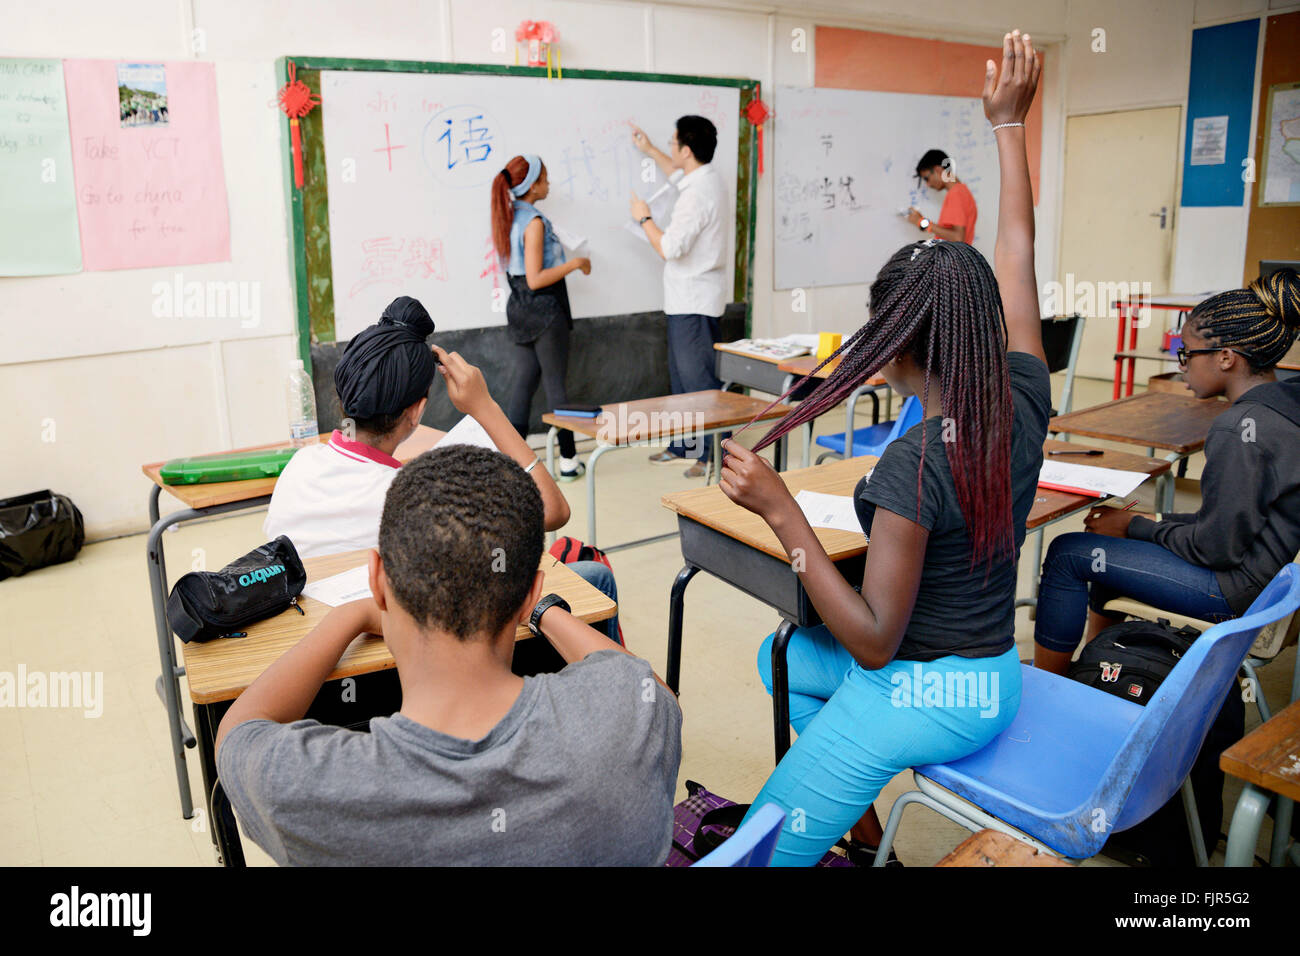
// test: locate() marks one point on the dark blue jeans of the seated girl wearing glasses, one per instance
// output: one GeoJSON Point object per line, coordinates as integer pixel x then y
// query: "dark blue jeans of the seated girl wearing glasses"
{"type": "Point", "coordinates": [1085, 570]}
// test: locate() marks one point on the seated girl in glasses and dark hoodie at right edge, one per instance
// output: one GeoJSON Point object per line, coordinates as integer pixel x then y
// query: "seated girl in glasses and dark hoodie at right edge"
{"type": "Point", "coordinates": [1214, 564]}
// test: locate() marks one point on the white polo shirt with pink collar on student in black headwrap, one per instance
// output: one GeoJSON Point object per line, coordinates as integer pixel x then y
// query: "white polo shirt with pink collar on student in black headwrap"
{"type": "Point", "coordinates": [331, 498]}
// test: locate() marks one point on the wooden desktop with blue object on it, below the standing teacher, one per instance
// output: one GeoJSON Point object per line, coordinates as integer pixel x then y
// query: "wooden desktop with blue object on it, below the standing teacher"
{"type": "Point", "coordinates": [648, 419]}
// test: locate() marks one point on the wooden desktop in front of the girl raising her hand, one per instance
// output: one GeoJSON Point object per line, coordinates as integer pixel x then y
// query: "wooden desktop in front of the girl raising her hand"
{"type": "Point", "coordinates": [710, 507]}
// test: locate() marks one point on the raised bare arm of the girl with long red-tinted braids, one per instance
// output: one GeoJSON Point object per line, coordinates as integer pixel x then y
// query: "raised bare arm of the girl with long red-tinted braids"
{"type": "Point", "coordinates": [1008, 94]}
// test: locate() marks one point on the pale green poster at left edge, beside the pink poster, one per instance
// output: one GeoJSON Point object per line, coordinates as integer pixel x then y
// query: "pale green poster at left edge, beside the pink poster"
{"type": "Point", "coordinates": [40, 236]}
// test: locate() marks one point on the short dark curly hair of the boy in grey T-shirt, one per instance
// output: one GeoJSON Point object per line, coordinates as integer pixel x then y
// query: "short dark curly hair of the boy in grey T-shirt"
{"type": "Point", "coordinates": [461, 539]}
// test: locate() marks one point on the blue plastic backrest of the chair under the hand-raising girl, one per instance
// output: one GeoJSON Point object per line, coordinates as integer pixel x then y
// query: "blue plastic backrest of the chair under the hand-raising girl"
{"type": "Point", "coordinates": [1159, 754]}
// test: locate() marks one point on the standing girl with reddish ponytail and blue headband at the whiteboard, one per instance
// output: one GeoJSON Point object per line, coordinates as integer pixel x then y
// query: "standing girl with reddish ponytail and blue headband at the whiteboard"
{"type": "Point", "coordinates": [538, 314]}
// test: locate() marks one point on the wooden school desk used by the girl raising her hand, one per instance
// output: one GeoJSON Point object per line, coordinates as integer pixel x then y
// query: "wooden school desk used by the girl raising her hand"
{"type": "Point", "coordinates": [738, 547]}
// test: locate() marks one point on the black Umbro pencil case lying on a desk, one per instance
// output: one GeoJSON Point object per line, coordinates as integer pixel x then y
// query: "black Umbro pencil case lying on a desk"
{"type": "Point", "coordinates": [267, 581]}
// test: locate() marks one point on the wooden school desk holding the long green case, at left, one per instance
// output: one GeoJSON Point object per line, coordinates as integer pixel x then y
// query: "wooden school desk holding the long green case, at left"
{"type": "Point", "coordinates": [206, 501]}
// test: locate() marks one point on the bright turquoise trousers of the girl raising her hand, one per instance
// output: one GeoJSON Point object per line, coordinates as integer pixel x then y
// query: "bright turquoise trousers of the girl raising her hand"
{"type": "Point", "coordinates": [859, 729]}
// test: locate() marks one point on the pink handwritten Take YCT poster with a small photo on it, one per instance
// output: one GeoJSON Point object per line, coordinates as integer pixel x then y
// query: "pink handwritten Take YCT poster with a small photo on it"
{"type": "Point", "coordinates": [151, 189]}
